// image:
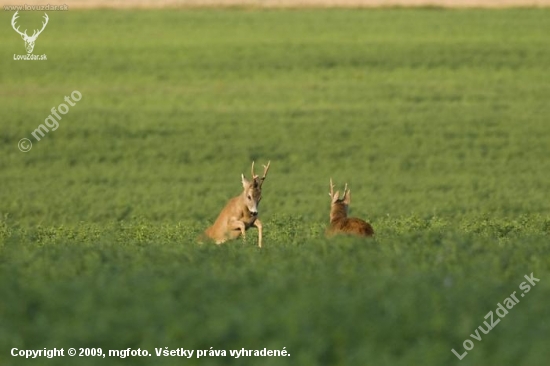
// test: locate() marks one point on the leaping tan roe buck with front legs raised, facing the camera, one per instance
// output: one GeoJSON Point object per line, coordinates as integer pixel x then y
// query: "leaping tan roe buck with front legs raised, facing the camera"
{"type": "Point", "coordinates": [241, 212]}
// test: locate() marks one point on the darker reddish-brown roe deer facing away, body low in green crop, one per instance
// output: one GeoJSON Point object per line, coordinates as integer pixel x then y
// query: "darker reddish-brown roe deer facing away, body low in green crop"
{"type": "Point", "coordinates": [340, 223]}
